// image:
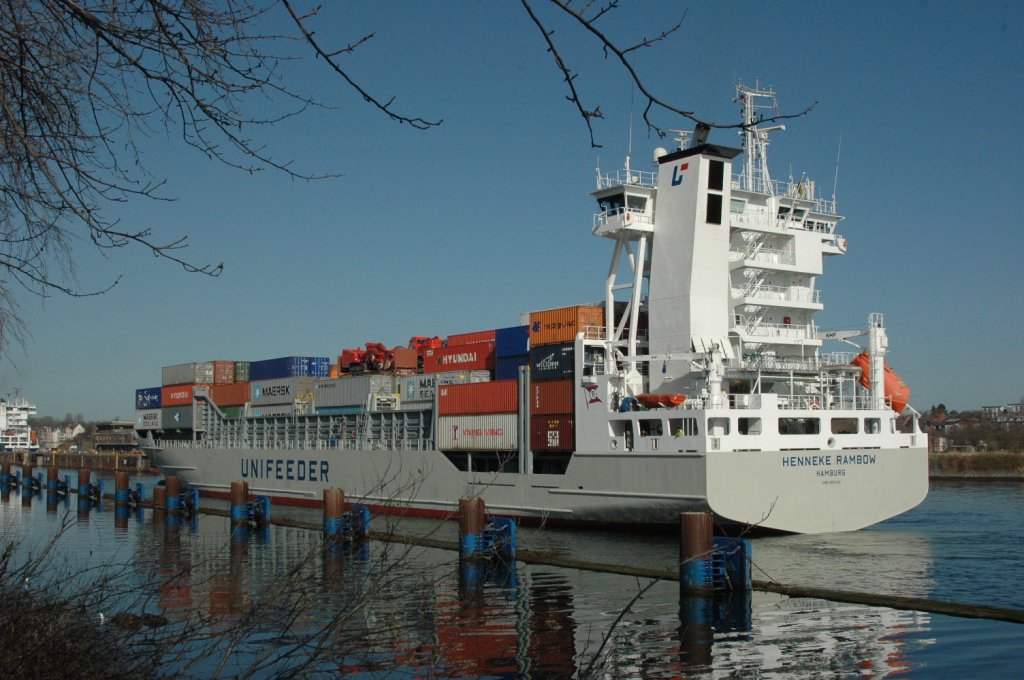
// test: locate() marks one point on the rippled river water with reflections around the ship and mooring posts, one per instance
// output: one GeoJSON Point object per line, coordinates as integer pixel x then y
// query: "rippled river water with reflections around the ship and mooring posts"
{"type": "Point", "coordinates": [276, 604]}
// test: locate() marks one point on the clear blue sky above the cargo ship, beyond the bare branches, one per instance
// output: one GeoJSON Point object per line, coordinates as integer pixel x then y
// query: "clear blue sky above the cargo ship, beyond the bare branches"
{"type": "Point", "coordinates": [465, 227]}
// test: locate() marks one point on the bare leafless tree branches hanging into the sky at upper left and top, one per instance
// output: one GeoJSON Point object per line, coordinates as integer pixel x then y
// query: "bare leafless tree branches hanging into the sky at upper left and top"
{"type": "Point", "coordinates": [83, 83]}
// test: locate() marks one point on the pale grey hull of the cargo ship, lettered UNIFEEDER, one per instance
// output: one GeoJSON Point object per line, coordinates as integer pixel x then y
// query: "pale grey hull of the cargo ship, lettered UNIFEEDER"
{"type": "Point", "coordinates": [766, 490]}
